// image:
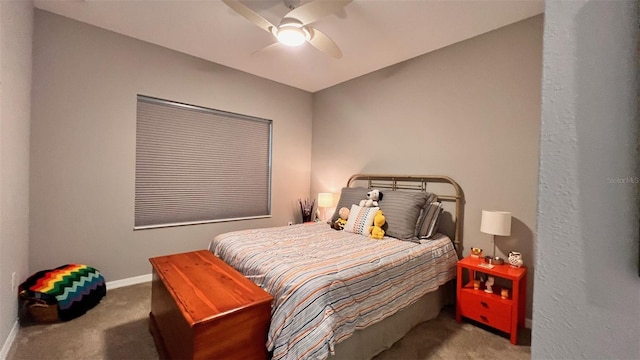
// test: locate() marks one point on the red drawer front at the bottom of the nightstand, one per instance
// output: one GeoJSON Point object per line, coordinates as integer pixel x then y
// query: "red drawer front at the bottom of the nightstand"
{"type": "Point", "coordinates": [482, 308]}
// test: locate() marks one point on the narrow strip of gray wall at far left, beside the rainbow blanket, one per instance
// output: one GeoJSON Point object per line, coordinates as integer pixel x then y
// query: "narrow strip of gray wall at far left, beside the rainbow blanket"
{"type": "Point", "coordinates": [16, 22]}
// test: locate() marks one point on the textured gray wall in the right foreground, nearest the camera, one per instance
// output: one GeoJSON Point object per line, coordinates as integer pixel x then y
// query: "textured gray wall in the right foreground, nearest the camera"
{"type": "Point", "coordinates": [587, 289]}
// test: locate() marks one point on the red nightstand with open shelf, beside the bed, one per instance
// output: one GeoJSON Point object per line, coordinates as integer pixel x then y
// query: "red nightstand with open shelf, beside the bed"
{"type": "Point", "coordinates": [506, 315]}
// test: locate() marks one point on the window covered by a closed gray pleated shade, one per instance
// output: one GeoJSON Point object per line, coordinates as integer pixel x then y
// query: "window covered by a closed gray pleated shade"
{"type": "Point", "coordinates": [198, 165]}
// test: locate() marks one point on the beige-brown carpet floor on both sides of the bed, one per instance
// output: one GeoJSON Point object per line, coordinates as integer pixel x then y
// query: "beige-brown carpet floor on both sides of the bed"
{"type": "Point", "coordinates": [116, 329]}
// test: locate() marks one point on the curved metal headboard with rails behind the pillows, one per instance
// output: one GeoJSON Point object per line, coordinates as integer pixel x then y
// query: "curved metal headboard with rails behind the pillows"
{"type": "Point", "coordinates": [420, 183]}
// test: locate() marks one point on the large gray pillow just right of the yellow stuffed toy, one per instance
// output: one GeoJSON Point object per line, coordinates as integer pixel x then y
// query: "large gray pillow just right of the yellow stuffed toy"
{"type": "Point", "coordinates": [401, 210]}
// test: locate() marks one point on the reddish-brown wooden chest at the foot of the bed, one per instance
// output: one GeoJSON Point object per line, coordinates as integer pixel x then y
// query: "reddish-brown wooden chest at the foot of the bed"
{"type": "Point", "coordinates": [202, 308]}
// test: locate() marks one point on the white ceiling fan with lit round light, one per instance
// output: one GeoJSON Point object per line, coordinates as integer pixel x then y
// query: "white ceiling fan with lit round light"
{"type": "Point", "coordinates": [294, 28]}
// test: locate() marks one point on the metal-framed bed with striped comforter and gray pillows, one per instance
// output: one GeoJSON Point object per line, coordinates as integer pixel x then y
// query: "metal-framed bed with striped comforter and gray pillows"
{"type": "Point", "coordinates": [341, 294]}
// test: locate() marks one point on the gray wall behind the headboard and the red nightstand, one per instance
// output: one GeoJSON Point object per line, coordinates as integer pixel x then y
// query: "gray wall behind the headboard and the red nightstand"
{"type": "Point", "coordinates": [470, 111]}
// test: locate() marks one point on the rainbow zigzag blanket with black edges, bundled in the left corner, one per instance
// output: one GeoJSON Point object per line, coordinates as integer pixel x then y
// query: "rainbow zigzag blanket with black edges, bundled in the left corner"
{"type": "Point", "coordinates": [75, 288]}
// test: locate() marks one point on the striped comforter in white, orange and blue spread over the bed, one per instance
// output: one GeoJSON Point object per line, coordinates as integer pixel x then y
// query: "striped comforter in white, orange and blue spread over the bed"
{"type": "Point", "coordinates": [327, 284]}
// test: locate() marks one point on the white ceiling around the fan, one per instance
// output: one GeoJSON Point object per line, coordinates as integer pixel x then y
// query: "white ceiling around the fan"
{"type": "Point", "coordinates": [372, 34]}
